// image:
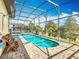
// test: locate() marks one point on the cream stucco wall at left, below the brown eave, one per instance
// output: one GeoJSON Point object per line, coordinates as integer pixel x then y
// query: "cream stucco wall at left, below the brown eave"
{"type": "Point", "coordinates": [4, 18]}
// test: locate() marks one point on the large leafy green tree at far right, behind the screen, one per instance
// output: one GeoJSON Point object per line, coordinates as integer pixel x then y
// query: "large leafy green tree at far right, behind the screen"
{"type": "Point", "coordinates": [69, 29]}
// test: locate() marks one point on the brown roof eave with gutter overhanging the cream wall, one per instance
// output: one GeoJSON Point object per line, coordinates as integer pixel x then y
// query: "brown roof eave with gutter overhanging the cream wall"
{"type": "Point", "coordinates": [10, 5]}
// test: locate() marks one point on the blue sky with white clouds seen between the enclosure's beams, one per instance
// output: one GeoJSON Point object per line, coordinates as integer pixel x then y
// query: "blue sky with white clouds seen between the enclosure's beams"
{"type": "Point", "coordinates": [70, 7]}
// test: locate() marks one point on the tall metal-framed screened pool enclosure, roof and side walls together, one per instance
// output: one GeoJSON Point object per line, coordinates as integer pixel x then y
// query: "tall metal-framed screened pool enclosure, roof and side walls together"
{"type": "Point", "coordinates": [58, 19]}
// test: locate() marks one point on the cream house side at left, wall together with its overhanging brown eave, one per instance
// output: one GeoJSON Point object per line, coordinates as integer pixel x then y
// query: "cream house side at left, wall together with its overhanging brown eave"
{"type": "Point", "coordinates": [6, 12]}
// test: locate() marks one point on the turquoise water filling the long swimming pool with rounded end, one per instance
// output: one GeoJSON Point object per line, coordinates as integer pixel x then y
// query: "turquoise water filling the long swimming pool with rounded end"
{"type": "Point", "coordinates": [40, 41]}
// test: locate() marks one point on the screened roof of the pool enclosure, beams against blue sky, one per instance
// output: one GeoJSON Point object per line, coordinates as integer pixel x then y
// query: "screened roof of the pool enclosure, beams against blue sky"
{"type": "Point", "coordinates": [31, 9]}
